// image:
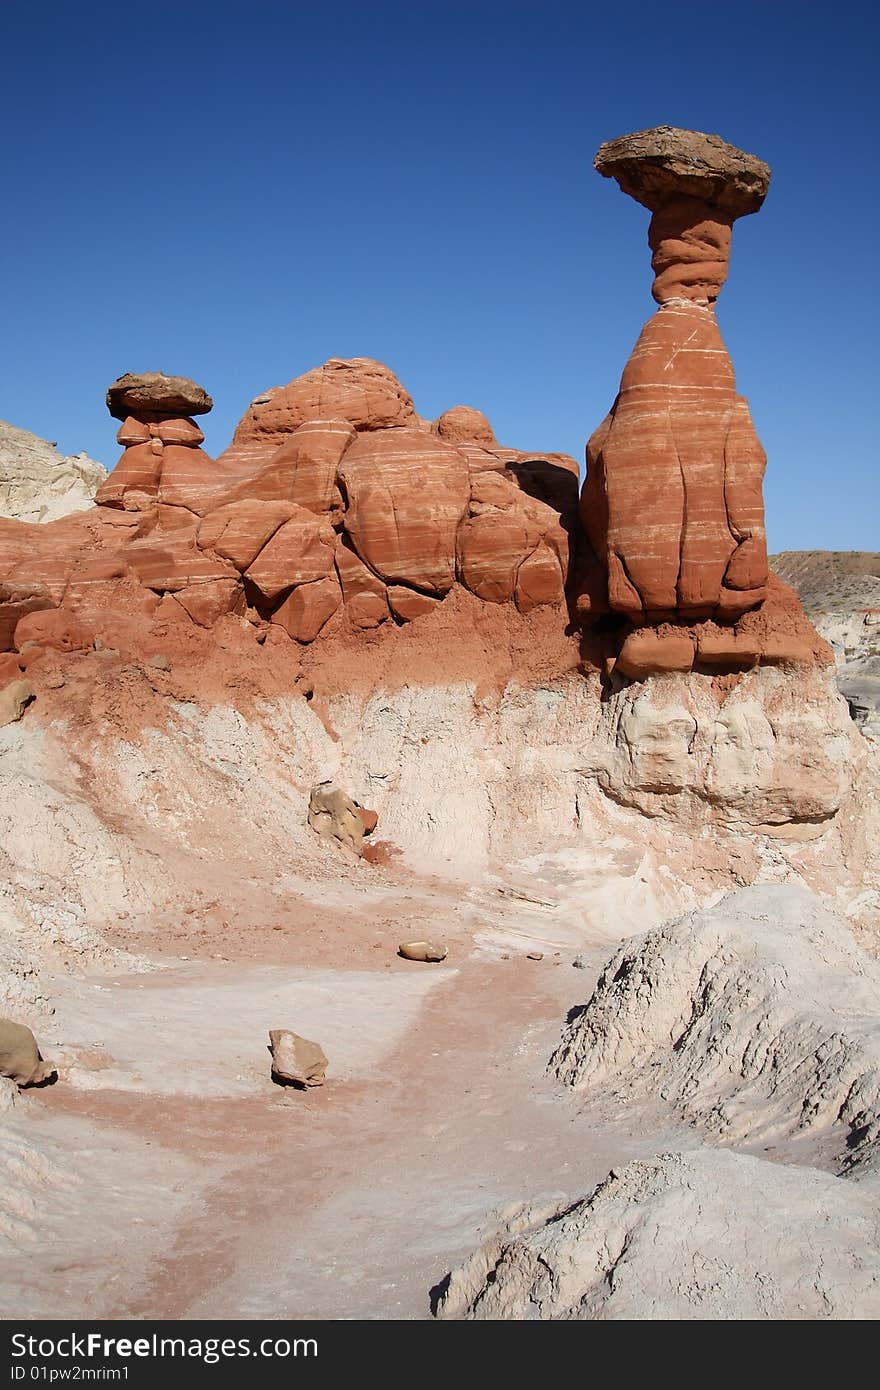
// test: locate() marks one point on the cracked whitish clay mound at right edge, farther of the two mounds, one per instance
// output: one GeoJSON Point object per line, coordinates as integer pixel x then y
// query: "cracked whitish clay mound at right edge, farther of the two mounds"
{"type": "Point", "coordinates": [757, 1021]}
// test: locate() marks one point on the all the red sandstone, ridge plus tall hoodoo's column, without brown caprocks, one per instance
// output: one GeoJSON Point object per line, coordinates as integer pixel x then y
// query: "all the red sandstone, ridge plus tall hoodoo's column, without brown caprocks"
{"type": "Point", "coordinates": [672, 507]}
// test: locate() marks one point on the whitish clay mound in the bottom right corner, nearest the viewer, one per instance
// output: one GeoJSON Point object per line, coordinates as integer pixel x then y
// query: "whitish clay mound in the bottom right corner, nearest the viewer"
{"type": "Point", "coordinates": [685, 1236]}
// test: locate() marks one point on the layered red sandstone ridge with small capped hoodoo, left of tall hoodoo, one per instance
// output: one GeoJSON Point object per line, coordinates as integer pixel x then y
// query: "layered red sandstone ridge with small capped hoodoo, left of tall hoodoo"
{"type": "Point", "coordinates": [336, 508]}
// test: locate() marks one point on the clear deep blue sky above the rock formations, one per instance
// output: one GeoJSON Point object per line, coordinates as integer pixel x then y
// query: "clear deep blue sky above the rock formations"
{"type": "Point", "coordinates": [238, 193]}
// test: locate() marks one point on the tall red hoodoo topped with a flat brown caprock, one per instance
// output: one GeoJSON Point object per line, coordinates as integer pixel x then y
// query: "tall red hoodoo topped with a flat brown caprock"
{"type": "Point", "coordinates": [674, 494]}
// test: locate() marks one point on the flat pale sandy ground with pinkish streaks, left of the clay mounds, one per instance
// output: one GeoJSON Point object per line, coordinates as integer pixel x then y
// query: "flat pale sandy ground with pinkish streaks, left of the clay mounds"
{"type": "Point", "coordinates": [213, 1196]}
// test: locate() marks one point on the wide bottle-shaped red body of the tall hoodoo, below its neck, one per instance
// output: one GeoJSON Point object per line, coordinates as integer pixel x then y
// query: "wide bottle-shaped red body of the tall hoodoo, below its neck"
{"type": "Point", "coordinates": [672, 501]}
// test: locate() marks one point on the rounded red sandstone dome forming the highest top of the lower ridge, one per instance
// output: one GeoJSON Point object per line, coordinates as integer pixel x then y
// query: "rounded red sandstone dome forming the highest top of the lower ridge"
{"type": "Point", "coordinates": [364, 393]}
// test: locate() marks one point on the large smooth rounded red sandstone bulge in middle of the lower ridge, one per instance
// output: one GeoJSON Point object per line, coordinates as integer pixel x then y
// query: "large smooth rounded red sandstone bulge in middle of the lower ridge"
{"type": "Point", "coordinates": [407, 494]}
